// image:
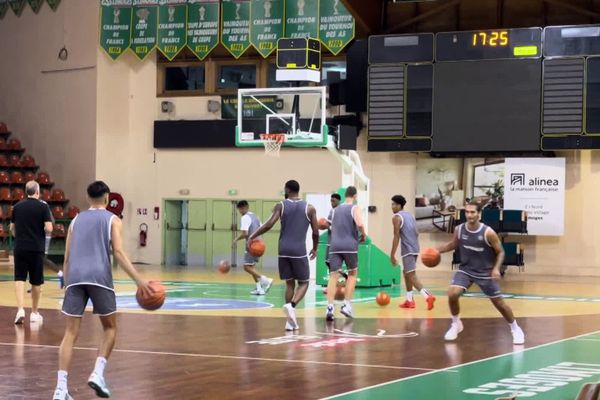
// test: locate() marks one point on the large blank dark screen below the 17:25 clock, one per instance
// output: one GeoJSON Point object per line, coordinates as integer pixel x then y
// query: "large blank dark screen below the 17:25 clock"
{"type": "Point", "coordinates": [487, 106]}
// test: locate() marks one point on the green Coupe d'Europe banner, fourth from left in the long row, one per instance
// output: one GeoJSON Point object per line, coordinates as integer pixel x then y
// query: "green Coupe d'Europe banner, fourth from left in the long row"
{"type": "Point", "coordinates": [203, 26]}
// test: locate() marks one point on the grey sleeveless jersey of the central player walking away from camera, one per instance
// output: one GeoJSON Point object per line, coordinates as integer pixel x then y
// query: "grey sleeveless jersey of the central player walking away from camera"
{"type": "Point", "coordinates": [294, 225]}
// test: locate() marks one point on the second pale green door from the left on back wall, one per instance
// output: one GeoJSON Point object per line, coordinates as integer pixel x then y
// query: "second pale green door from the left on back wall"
{"type": "Point", "coordinates": [196, 231]}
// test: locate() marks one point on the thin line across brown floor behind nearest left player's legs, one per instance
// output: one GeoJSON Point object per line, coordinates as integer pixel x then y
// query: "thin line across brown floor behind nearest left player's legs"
{"type": "Point", "coordinates": [199, 355]}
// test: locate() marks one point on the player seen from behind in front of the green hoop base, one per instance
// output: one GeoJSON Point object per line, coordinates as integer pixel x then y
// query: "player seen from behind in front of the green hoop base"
{"type": "Point", "coordinates": [346, 223]}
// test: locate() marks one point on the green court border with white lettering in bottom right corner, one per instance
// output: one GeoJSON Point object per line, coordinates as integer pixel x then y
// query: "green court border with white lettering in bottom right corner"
{"type": "Point", "coordinates": [551, 371]}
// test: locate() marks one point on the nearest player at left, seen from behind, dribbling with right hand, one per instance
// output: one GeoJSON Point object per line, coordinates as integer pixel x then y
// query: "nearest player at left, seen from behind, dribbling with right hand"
{"type": "Point", "coordinates": [88, 275]}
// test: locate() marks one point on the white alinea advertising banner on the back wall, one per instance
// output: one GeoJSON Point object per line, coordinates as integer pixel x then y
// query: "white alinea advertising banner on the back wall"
{"type": "Point", "coordinates": [537, 186]}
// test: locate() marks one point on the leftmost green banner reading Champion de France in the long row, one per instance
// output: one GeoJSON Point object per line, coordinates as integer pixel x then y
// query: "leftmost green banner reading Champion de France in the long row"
{"type": "Point", "coordinates": [115, 26]}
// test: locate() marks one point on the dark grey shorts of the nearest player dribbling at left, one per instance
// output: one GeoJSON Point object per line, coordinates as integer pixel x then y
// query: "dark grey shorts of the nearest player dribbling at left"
{"type": "Point", "coordinates": [77, 296]}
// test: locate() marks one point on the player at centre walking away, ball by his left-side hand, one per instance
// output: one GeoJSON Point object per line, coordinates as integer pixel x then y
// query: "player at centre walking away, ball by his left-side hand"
{"type": "Point", "coordinates": [296, 217]}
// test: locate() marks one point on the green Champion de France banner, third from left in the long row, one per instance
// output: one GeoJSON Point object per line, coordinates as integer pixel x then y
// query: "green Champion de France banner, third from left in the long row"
{"type": "Point", "coordinates": [172, 32]}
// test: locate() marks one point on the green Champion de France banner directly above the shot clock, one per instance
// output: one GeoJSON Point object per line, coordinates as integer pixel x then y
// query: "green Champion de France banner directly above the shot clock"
{"type": "Point", "coordinates": [302, 18]}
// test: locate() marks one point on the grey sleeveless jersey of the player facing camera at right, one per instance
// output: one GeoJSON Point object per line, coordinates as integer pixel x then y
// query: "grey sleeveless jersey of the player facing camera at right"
{"type": "Point", "coordinates": [477, 257]}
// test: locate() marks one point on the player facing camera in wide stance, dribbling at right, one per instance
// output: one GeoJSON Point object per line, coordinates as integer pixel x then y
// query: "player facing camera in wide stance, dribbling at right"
{"type": "Point", "coordinates": [481, 255]}
